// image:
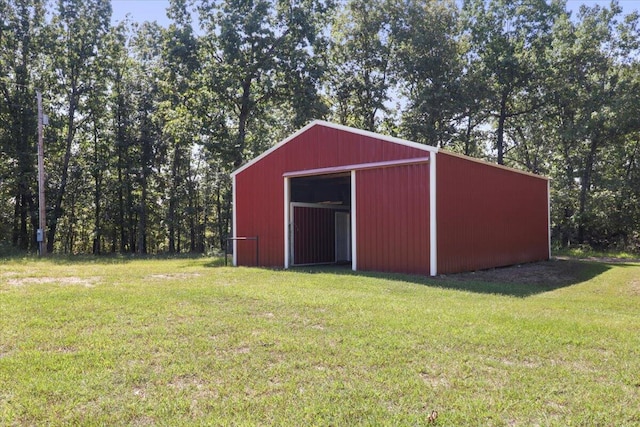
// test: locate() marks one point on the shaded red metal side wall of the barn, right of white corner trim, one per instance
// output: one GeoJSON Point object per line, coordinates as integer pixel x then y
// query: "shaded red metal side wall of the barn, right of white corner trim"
{"type": "Point", "coordinates": [488, 216]}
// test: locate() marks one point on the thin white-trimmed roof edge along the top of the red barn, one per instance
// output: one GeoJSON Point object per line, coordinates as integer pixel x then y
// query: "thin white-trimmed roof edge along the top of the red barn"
{"type": "Point", "coordinates": [378, 136]}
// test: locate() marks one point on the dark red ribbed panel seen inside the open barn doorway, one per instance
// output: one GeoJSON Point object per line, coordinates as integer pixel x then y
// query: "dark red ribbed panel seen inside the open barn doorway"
{"type": "Point", "coordinates": [314, 235]}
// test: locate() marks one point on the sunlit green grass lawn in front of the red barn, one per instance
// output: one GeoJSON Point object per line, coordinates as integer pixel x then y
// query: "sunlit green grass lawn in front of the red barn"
{"type": "Point", "coordinates": [189, 342]}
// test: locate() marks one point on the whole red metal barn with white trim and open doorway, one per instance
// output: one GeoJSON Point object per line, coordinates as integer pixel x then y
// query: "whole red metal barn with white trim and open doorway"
{"type": "Point", "coordinates": [334, 194]}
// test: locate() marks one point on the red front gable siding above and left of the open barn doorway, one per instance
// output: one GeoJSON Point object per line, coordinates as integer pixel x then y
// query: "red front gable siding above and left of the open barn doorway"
{"type": "Point", "coordinates": [259, 188]}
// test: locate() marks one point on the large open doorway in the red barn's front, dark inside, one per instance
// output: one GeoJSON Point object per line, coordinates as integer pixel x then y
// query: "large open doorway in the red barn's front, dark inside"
{"type": "Point", "coordinates": [320, 219]}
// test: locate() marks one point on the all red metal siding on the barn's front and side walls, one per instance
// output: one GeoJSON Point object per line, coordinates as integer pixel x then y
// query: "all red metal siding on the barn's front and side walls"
{"type": "Point", "coordinates": [487, 216]}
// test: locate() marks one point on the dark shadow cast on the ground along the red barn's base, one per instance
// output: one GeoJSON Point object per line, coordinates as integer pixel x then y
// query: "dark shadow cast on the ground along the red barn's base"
{"type": "Point", "coordinates": [516, 281]}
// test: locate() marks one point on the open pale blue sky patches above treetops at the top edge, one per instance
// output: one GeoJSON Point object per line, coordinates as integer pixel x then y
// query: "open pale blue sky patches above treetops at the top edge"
{"type": "Point", "coordinates": [155, 10]}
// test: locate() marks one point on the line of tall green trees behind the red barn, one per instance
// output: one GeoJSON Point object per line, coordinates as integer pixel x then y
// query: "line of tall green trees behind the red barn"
{"type": "Point", "coordinates": [146, 122]}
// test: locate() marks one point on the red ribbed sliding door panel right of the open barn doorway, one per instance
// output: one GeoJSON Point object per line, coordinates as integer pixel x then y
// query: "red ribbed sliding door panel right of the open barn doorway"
{"type": "Point", "coordinates": [392, 215]}
